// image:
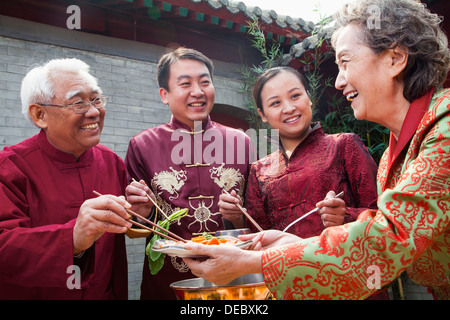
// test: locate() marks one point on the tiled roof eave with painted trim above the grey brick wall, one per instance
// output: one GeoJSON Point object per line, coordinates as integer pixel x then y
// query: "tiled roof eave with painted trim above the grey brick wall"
{"type": "Point", "coordinates": [167, 22]}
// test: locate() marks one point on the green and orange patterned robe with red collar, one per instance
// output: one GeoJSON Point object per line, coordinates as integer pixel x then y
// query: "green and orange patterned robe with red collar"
{"type": "Point", "coordinates": [409, 231]}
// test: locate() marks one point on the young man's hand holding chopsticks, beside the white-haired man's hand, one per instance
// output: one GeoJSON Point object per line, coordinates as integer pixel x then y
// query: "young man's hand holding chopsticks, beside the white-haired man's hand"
{"type": "Point", "coordinates": [136, 194]}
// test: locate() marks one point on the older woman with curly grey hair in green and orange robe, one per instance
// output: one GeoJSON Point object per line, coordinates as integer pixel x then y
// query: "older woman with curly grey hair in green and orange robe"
{"type": "Point", "coordinates": [392, 58]}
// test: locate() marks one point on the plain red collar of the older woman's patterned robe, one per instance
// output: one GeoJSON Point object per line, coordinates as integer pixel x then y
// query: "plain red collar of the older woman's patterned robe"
{"type": "Point", "coordinates": [412, 120]}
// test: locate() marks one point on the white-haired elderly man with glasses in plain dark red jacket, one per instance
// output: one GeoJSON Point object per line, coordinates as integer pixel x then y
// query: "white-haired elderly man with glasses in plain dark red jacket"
{"type": "Point", "coordinates": [58, 240]}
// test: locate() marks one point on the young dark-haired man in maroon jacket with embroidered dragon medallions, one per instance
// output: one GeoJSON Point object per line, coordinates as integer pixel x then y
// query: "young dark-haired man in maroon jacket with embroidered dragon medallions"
{"type": "Point", "coordinates": [186, 86]}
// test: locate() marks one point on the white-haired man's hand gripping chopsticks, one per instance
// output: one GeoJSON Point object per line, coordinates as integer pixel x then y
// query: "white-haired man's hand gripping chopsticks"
{"type": "Point", "coordinates": [97, 216]}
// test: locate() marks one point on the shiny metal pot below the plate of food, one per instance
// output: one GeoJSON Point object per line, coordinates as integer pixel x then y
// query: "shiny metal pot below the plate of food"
{"type": "Point", "coordinates": [246, 287]}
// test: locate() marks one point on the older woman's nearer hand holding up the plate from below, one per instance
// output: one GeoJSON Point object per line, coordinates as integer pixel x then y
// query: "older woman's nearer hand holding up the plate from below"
{"type": "Point", "coordinates": [225, 262]}
